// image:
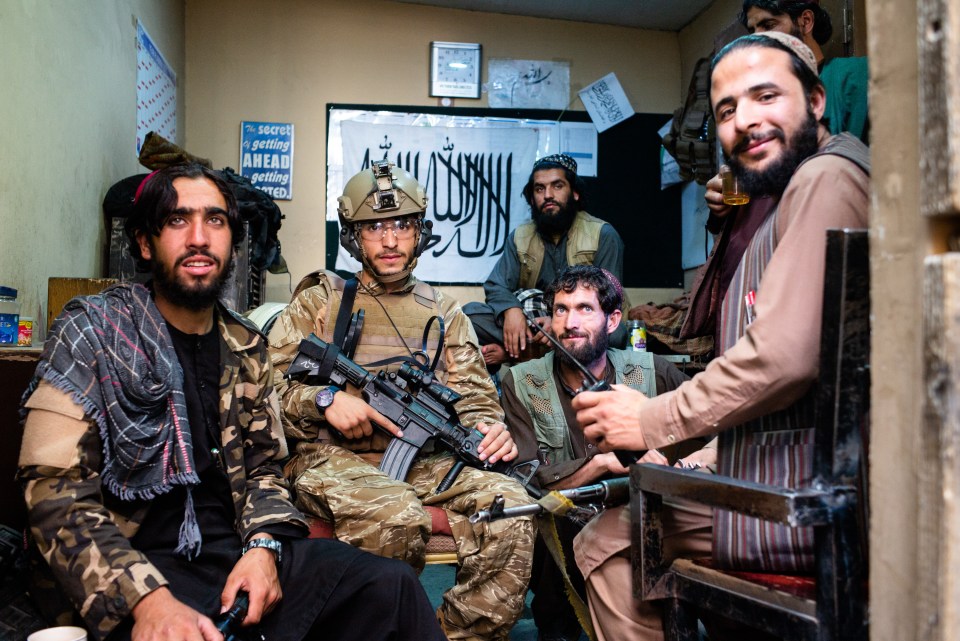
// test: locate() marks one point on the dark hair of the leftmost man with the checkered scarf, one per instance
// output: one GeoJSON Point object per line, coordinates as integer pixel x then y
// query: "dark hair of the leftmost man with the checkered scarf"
{"type": "Point", "coordinates": [156, 199]}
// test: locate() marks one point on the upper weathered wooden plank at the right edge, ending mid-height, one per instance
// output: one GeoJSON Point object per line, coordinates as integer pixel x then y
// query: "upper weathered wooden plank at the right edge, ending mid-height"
{"type": "Point", "coordinates": [939, 23]}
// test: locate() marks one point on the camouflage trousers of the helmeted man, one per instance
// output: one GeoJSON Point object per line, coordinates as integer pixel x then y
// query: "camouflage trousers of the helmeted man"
{"type": "Point", "coordinates": [386, 517]}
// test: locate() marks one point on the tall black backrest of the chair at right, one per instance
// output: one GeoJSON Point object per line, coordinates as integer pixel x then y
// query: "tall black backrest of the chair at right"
{"type": "Point", "coordinates": [842, 434]}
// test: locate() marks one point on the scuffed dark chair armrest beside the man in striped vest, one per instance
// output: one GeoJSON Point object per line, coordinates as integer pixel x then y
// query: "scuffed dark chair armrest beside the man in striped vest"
{"type": "Point", "coordinates": [792, 507]}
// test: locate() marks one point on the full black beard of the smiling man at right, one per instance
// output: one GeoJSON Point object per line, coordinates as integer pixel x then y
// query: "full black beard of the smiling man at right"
{"type": "Point", "coordinates": [774, 179]}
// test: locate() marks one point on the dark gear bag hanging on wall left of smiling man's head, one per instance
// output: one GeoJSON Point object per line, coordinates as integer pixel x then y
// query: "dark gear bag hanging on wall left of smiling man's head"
{"type": "Point", "coordinates": [693, 136]}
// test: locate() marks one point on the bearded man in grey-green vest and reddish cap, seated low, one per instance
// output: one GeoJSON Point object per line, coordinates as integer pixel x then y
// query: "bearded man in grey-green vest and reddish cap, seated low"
{"type": "Point", "coordinates": [585, 304]}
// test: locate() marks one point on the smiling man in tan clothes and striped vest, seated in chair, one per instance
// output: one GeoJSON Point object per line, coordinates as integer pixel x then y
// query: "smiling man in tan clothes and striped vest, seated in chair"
{"type": "Point", "coordinates": [767, 100]}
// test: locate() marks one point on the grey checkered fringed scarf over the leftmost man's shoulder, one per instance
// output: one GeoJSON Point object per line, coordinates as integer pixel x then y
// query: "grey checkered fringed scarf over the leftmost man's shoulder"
{"type": "Point", "coordinates": [113, 355]}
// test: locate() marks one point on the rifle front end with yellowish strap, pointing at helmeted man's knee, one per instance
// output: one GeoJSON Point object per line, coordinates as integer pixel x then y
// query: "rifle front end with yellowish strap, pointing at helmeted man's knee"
{"type": "Point", "coordinates": [590, 499]}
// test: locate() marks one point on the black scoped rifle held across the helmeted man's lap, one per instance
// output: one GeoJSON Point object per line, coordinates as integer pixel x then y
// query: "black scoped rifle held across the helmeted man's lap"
{"type": "Point", "coordinates": [414, 400]}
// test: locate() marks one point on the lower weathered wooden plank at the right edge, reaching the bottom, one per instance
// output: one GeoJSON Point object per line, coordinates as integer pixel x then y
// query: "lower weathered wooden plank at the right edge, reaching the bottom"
{"type": "Point", "coordinates": [939, 544]}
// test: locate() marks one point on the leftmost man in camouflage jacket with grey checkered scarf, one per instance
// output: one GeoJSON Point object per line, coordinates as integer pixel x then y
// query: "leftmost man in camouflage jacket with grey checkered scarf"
{"type": "Point", "coordinates": [151, 456]}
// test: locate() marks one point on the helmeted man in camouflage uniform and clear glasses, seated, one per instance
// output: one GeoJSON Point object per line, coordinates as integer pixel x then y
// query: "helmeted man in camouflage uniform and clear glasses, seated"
{"type": "Point", "coordinates": [334, 465]}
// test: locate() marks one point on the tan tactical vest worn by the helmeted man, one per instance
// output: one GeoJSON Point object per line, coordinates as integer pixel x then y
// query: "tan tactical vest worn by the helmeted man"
{"type": "Point", "coordinates": [410, 311]}
